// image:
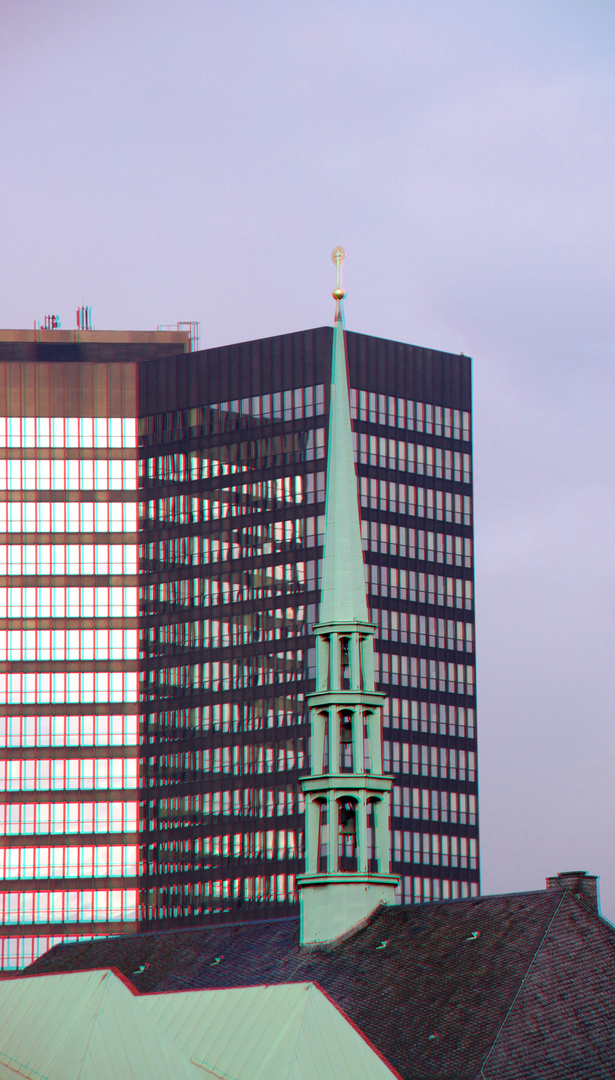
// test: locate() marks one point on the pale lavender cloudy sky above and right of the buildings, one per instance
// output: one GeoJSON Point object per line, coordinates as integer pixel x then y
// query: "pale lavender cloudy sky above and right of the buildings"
{"type": "Point", "coordinates": [199, 160]}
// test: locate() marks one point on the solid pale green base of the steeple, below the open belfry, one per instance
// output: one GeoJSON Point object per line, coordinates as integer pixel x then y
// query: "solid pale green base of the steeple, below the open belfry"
{"type": "Point", "coordinates": [332, 904]}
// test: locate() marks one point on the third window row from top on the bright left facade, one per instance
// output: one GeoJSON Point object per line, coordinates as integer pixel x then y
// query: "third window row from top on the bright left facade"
{"type": "Point", "coordinates": [69, 518]}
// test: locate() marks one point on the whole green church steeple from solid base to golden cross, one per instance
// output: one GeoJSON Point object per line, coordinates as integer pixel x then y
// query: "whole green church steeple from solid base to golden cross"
{"type": "Point", "coordinates": [349, 850]}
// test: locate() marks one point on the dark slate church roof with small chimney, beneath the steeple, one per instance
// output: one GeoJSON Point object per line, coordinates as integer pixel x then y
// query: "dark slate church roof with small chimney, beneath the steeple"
{"type": "Point", "coordinates": [513, 988]}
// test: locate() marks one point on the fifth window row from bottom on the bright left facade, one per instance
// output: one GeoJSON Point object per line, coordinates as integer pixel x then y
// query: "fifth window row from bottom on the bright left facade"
{"type": "Point", "coordinates": [76, 774]}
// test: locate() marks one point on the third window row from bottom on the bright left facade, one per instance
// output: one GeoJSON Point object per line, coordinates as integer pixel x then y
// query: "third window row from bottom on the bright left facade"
{"type": "Point", "coordinates": [103, 861]}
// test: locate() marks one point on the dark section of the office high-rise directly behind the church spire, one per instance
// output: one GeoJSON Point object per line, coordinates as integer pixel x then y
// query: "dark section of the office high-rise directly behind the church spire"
{"type": "Point", "coordinates": [234, 457]}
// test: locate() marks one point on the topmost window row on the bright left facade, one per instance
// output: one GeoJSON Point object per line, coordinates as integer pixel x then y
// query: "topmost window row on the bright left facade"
{"type": "Point", "coordinates": [69, 431]}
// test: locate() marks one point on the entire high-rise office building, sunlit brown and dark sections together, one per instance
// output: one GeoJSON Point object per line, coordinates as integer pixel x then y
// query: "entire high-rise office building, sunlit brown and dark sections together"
{"type": "Point", "coordinates": [224, 546]}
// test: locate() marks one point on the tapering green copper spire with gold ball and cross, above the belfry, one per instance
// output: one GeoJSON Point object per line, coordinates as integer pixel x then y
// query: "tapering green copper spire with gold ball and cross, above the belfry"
{"type": "Point", "coordinates": [343, 576]}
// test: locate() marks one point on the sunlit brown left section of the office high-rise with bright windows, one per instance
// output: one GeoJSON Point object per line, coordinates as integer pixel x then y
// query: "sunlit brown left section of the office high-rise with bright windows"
{"type": "Point", "coordinates": [70, 634]}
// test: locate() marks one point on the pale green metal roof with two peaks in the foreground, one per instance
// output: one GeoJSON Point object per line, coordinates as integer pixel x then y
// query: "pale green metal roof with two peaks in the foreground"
{"type": "Point", "coordinates": [93, 1027]}
